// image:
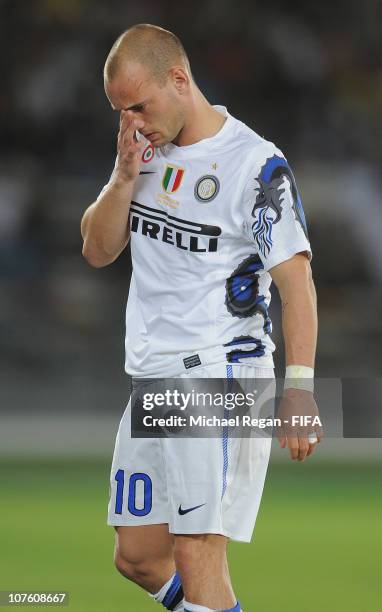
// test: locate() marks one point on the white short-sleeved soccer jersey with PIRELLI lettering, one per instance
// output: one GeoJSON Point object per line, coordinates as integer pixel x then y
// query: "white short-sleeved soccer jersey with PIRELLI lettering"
{"type": "Point", "coordinates": [208, 221]}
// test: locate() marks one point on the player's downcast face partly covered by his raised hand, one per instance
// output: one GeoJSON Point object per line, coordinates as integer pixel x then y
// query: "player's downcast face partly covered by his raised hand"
{"type": "Point", "coordinates": [160, 108]}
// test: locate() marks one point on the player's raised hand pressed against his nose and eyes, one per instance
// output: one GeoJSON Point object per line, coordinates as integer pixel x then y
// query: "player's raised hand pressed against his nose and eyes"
{"type": "Point", "coordinates": [128, 147]}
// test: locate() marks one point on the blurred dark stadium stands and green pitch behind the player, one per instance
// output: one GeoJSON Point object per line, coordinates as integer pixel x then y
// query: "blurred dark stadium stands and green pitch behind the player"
{"type": "Point", "coordinates": [306, 75]}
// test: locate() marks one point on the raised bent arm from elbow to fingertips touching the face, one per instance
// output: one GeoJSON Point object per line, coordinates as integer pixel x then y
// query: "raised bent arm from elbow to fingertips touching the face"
{"type": "Point", "coordinates": [104, 226]}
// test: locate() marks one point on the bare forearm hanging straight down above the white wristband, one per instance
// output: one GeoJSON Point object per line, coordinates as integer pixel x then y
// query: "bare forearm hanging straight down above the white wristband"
{"type": "Point", "coordinates": [299, 321]}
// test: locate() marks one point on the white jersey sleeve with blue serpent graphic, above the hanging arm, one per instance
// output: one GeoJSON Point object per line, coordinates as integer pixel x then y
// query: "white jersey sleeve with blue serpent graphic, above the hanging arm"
{"type": "Point", "coordinates": [274, 215]}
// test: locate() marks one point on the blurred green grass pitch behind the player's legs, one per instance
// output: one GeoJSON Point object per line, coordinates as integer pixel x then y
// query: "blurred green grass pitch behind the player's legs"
{"type": "Point", "coordinates": [317, 544]}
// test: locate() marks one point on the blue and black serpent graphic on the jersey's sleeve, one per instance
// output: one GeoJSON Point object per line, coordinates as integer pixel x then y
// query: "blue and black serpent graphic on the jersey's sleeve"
{"type": "Point", "coordinates": [270, 198]}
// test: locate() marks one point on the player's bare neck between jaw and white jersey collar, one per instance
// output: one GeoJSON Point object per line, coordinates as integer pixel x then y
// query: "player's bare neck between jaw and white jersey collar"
{"type": "Point", "coordinates": [202, 121]}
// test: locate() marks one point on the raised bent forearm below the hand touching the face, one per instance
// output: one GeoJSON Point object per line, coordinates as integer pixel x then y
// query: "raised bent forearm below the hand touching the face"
{"type": "Point", "coordinates": [105, 224]}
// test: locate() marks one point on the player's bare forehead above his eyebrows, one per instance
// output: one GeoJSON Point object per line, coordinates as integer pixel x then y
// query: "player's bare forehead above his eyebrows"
{"type": "Point", "coordinates": [131, 85]}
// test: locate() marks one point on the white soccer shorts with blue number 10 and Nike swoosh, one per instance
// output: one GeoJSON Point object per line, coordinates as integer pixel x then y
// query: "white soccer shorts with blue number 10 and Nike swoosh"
{"type": "Point", "coordinates": [196, 485]}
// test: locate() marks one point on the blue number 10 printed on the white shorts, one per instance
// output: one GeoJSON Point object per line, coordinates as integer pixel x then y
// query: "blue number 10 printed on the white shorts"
{"type": "Point", "coordinates": [134, 479]}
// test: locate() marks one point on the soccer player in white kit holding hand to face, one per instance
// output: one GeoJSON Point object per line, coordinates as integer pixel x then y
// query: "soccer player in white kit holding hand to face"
{"type": "Point", "coordinates": [213, 215]}
